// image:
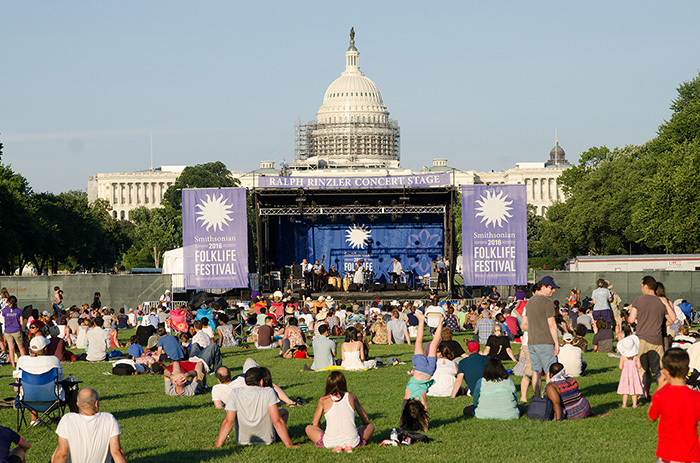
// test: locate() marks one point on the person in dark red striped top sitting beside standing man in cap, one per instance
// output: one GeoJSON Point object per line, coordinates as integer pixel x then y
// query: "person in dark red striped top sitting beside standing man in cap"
{"type": "Point", "coordinates": [567, 401]}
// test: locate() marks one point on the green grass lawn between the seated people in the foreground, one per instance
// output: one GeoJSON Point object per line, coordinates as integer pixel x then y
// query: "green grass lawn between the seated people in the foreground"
{"type": "Point", "coordinates": [157, 428]}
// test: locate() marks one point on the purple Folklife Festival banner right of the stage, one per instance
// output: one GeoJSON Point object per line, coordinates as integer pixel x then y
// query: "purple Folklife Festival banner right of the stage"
{"type": "Point", "coordinates": [494, 234]}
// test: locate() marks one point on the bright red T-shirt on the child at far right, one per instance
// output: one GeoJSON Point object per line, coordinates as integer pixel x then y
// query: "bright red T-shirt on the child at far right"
{"type": "Point", "coordinates": [678, 410]}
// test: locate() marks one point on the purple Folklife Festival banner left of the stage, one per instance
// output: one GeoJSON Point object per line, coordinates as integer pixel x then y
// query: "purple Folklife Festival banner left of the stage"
{"type": "Point", "coordinates": [215, 238]}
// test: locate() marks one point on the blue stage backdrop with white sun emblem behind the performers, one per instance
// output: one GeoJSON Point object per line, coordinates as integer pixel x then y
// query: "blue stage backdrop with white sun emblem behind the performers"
{"type": "Point", "coordinates": [416, 245]}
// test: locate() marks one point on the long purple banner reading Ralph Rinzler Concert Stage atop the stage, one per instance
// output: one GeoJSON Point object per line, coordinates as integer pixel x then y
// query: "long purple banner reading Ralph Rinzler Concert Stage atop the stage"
{"type": "Point", "coordinates": [324, 183]}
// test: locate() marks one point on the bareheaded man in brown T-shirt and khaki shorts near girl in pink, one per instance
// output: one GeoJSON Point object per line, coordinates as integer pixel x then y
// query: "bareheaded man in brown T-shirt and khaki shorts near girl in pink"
{"type": "Point", "coordinates": [650, 314]}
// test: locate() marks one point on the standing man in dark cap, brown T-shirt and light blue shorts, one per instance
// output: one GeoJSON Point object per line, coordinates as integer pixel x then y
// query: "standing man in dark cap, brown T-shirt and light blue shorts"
{"type": "Point", "coordinates": [543, 337]}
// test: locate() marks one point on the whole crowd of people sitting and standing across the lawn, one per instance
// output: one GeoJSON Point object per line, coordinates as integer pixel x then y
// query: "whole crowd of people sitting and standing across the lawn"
{"type": "Point", "coordinates": [184, 345]}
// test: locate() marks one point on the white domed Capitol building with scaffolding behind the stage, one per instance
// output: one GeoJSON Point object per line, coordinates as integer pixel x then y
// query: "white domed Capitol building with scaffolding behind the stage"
{"type": "Point", "coordinates": [352, 136]}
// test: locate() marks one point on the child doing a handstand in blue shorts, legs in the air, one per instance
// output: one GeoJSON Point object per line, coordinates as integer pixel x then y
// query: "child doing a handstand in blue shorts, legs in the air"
{"type": "Point", "coordinates": [414, 414]}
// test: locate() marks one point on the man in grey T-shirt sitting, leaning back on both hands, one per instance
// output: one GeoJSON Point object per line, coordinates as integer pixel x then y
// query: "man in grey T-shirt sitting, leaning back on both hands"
{"type": "Point", "coordinates": [253, 410]}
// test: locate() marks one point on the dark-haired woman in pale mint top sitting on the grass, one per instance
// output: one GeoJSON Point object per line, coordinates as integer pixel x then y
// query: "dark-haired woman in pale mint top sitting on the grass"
{"type": "Point", "coordinates": [494, 396]}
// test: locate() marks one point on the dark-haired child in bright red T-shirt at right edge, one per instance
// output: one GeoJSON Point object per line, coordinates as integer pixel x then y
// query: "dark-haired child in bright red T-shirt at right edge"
{"type": "Point", "coordinates": [677, 407]}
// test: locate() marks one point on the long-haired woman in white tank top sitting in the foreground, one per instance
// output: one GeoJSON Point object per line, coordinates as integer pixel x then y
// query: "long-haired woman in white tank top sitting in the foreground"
{"type": "Point", "coordinates": [338, 406]}
